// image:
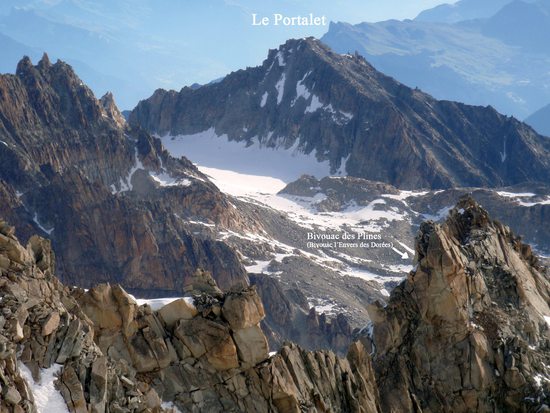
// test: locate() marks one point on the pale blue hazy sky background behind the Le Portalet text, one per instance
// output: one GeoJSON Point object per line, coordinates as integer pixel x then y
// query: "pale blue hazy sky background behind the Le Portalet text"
{"type": "Point", "coordinates": [132, 47]}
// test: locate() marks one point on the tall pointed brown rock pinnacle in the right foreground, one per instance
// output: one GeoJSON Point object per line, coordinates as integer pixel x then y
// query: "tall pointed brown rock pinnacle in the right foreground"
{"type": "Point", "coordinates": [467, 330]}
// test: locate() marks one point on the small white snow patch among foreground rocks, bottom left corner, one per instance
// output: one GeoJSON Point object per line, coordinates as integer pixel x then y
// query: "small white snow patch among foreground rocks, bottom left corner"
{"type": "Point", "coordinates": [47, 398]}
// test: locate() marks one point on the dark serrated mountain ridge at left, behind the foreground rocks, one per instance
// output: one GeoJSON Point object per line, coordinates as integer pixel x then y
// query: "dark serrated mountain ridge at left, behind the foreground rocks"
{"type": "Point", "coordinates": [110, 197]}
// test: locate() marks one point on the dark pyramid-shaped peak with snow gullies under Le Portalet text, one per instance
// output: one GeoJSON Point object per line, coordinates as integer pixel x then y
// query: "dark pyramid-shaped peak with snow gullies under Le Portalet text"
{"type": "Point", "coordinates": [339, 108]}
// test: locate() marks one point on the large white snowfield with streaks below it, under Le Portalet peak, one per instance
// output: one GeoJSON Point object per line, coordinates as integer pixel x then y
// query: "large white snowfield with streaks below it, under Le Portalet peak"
{"type": "Point", "coordinates": [256, 174]}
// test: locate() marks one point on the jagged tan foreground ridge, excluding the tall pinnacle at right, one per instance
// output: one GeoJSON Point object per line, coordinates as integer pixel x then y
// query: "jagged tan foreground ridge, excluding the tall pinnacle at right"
{"type": "Point", "coordinates": [205, 354]}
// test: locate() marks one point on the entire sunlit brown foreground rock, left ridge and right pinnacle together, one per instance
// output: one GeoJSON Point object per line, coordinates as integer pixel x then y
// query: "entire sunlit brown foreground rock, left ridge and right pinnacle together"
{"type": "Point", "coordinates": [467, 331]}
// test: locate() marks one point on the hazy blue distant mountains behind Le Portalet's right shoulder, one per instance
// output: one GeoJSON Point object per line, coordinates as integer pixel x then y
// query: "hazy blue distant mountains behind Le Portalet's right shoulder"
{"type": "Point", "coordinates": [498, 60]}
